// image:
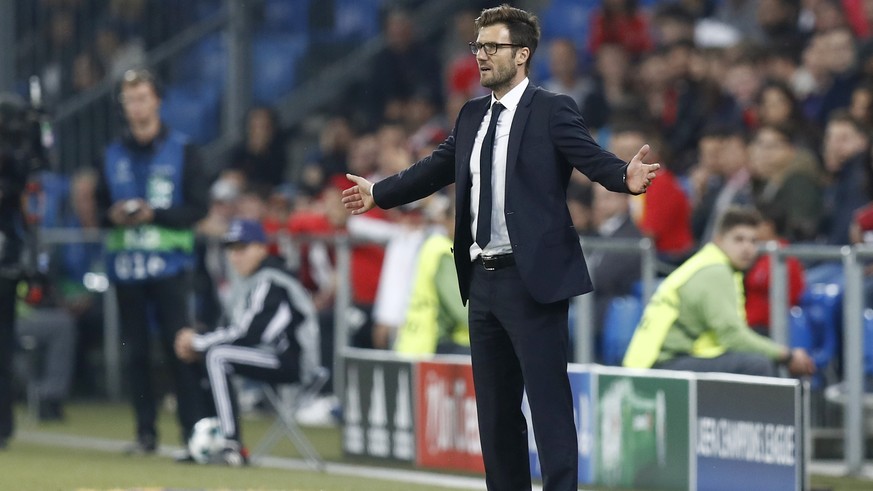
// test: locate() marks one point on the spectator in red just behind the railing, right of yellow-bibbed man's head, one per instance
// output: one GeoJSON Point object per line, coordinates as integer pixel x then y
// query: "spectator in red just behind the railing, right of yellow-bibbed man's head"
{"type": "Point", "coordinates": [757, 279]}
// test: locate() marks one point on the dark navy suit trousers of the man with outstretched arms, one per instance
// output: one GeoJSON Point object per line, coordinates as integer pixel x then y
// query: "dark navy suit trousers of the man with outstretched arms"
{"type": "Point", "coordinates": [517, 344]}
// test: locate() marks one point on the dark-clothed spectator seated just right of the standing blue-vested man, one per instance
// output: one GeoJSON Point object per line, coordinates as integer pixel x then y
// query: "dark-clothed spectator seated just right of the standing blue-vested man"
{"type": "Point", "coordinates": [260, 159]}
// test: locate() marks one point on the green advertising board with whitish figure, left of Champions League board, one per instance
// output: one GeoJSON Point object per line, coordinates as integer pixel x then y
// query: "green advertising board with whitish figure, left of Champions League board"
{"type": "Point", "coordinates": [643, 431]}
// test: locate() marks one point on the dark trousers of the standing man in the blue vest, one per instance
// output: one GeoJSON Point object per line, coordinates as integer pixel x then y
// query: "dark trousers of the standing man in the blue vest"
{"type": "Point", "coordinates": [166, 301]}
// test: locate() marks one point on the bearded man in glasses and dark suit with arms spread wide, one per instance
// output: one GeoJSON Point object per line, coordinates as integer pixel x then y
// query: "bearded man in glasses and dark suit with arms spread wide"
{"type": "Point", "coordinates": [525, 262]}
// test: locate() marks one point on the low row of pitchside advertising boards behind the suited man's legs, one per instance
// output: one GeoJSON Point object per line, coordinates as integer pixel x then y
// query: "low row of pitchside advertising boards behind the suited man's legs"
{"type": "Point", "coordinates": [651, 429]}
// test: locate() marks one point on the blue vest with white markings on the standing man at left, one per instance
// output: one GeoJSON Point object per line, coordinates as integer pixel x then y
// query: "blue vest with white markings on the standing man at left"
{"type": "Point", "coordinates": [148, 251]}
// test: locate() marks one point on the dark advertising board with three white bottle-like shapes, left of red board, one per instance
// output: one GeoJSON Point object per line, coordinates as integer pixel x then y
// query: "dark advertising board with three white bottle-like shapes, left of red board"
{"type": "Point", "coordinates": [378, 408]}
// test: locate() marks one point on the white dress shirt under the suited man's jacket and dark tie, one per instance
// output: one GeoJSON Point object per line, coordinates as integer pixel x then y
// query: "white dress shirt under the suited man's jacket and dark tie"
{"type": "Point", "coordinates": [499, 243]}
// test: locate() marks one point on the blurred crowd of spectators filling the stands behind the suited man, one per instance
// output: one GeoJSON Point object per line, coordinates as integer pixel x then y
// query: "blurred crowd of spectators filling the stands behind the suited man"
{"type": "Point", "coordinates": [766, 103]}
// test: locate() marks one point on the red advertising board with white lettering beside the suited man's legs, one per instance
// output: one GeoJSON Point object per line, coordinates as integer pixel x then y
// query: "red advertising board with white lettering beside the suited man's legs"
{"type": "Point", "coordinates": [447, 424]}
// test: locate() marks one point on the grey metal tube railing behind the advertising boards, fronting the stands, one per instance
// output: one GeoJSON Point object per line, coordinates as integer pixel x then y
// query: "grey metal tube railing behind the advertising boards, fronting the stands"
{"type": "Point", "coordinates": [850, 257]}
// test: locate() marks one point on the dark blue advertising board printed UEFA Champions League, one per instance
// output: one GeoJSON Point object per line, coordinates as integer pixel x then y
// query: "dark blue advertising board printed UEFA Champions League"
{"type": "Point", "coordinates": [748, 434]}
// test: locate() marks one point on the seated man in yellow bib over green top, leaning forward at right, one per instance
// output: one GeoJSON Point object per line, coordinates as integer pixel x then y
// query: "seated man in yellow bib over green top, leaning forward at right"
{"type": "Point", "coordinates": [696, 319]}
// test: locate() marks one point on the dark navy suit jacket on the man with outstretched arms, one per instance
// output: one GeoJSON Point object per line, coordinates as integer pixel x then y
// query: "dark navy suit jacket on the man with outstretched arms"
{"type": "Point", "coordinates": [547, 140]}
